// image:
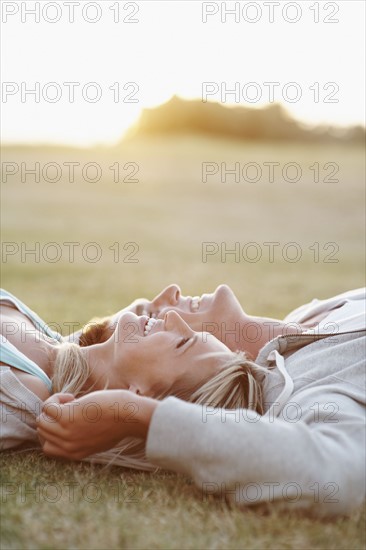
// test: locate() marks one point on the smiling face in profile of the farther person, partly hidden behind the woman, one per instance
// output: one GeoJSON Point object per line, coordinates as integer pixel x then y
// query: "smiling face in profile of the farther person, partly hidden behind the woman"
{"type": "Point", "coordinates": [199, 312]}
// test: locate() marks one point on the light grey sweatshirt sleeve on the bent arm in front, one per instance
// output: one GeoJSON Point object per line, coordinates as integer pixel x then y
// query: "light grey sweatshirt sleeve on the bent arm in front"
{"type": "Point", "coordinates": [240, 456]}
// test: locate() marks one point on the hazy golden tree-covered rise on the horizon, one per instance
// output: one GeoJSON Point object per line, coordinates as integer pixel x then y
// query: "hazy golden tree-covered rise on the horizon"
{"type": "Point", "coordinates": [271, 122]}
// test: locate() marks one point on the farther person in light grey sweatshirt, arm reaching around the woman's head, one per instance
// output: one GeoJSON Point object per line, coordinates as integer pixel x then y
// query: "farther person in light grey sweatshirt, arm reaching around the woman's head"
{"type": "Point", "coordinates": [303, 445]}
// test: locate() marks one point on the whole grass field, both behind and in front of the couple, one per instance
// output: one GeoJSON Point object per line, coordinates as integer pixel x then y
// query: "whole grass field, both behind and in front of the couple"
{"type": "Point", "coordinates": [168, 213]}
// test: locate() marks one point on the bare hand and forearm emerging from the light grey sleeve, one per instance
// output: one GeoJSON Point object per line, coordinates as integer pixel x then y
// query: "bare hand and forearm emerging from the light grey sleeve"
{"type": "Point", "coordinates": [76, 428]}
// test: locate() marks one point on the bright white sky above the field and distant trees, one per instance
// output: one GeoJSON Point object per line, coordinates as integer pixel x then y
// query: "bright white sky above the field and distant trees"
{"type": "Point", "coordinates": [170, 50]}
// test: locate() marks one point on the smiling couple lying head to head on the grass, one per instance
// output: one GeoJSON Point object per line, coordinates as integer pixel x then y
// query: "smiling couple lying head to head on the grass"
{"type": "Point", "coordinates": [254, 409]}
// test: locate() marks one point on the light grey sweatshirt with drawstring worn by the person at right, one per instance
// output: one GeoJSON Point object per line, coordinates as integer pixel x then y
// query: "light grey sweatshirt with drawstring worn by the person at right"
{"type": "Point", "coordinates": [308, 449]}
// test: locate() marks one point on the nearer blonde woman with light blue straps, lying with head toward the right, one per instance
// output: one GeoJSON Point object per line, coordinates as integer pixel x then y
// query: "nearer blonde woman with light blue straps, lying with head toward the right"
{"type": "Point", "coordinates": [142, 355]}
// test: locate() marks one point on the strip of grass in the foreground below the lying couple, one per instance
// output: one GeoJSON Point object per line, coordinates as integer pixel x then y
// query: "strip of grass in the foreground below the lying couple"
{"type": "Point", "coordinates": [46, 505]}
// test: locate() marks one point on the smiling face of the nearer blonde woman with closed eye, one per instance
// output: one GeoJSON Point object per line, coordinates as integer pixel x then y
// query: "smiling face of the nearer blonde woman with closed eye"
{"type": "Point", "coordinates": [150, 356]}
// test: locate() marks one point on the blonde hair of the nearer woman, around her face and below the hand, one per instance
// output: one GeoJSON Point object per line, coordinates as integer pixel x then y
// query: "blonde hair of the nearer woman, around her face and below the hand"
{"type": "Point", "coordinates": [237, 385]}
